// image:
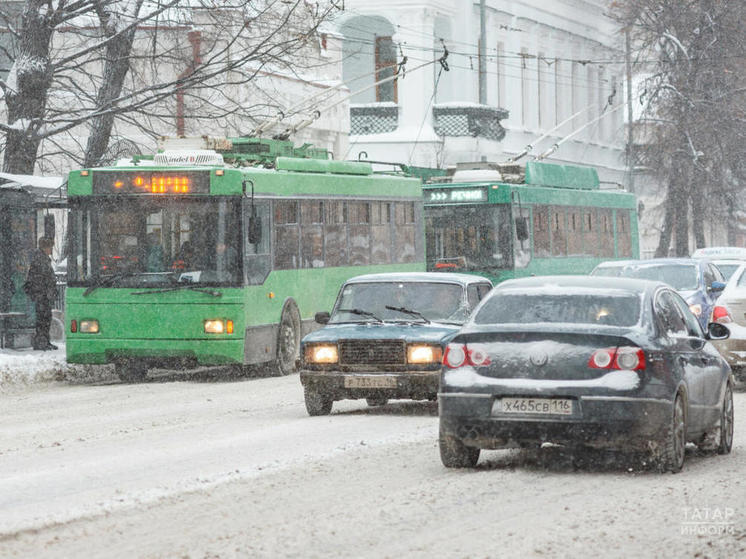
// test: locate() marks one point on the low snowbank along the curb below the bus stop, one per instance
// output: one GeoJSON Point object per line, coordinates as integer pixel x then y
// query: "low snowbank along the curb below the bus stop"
{"type": "Point", "coordinates": [26, 366]}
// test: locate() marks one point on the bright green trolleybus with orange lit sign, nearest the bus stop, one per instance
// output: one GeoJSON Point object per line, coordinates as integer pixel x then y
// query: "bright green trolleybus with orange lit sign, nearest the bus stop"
{"type": "Point", "coordinates": [221, 256]}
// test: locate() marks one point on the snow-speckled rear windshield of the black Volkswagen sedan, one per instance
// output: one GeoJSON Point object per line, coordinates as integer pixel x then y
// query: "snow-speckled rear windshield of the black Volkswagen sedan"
{"type": "Point", "coordinates": [581, 308]}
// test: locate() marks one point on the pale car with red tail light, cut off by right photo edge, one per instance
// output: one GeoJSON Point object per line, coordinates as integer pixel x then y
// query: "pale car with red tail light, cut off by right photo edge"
{"type": "Point", "coordinates": [730, 310]}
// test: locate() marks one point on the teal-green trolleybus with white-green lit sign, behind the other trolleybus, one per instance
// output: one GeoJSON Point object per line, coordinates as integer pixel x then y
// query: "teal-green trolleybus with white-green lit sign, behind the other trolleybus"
{"type": "Point", "coordinates": [511, 221]}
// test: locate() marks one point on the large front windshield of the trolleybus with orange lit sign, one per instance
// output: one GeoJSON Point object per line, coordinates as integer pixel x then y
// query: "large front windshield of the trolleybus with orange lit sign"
{"type": "Point", "coordinates": [134, 242]}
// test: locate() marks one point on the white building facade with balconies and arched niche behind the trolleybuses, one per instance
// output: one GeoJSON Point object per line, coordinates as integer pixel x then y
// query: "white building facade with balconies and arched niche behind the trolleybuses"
{"type": "Point", "coordinates": [542, 62]}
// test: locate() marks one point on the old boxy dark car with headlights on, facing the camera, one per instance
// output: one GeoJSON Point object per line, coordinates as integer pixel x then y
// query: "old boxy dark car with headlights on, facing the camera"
{"type": "Point", "coordinates": [385, 337]}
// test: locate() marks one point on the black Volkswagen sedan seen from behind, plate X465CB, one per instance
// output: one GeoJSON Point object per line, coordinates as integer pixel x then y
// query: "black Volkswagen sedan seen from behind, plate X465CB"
{"type": "Point", "coordinates": [586, 362]}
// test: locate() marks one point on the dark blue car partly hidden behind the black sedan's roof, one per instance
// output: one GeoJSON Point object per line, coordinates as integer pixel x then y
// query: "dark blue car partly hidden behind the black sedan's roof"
{"type": "Point", "coordinates": [698, 281]}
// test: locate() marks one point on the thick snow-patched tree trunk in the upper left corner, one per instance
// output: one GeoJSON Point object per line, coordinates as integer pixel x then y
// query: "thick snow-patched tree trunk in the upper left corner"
{"type": "Point", "coordinates": [26, 96]}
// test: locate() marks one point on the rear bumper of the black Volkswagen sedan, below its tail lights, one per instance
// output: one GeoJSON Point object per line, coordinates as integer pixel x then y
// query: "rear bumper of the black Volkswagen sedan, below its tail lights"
{"type": "Point", "coordinates": [600, 421]}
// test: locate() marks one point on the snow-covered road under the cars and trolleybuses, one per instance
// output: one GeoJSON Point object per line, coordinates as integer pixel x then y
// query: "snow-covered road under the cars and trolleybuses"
{"type": "Point", "coordinates": [185, 467]}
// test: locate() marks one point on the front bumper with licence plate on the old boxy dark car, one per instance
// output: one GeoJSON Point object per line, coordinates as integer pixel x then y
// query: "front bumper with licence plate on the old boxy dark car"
{"type": "Point", "coordinates": [415, 385]}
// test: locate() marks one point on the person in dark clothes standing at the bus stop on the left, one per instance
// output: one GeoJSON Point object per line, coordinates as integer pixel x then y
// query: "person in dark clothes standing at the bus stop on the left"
{"type": "Point", "coordinates": [41, 287]}
